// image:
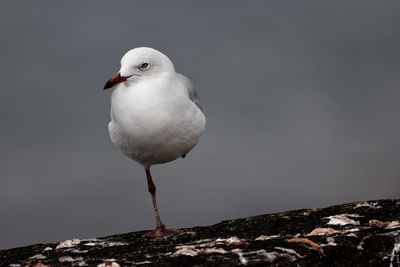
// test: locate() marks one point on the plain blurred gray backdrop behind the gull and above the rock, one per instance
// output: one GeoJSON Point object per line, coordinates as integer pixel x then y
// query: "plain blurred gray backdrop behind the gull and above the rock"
{"type": "Point", "coordinates": [301, 97]}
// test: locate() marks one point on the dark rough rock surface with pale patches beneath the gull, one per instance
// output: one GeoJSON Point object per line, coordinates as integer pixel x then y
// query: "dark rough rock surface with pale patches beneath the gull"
{"type": "Point", "coordinates": [356, 234]}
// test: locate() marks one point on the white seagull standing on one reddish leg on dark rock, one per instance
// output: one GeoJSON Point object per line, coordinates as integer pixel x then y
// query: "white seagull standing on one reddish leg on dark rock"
{"type": "Point", "coordinates": [156, 116]}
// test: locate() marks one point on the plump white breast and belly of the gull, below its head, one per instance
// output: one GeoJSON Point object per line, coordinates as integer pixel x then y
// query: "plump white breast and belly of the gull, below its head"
{"type": "Point", "coordinates": [155, 122]}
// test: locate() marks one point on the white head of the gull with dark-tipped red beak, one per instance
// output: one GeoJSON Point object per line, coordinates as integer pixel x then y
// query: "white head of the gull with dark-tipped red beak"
{"type": "Point", "coordinates": [140, 63]}
